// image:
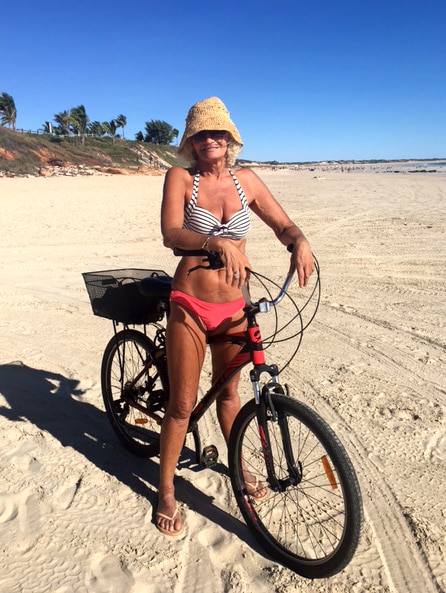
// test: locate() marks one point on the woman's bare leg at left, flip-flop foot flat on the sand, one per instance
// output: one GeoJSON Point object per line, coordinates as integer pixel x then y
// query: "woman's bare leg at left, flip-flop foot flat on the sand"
{"type": "Point", "coordinates": [186, 346]}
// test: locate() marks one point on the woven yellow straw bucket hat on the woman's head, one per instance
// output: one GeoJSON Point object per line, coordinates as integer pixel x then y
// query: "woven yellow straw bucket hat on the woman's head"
{"type": "Point", "coordinates": [210, 114]}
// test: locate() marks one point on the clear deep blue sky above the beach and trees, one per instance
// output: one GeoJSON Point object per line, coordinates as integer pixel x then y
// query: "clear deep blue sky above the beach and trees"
{"type": "Point", "coordinates": [303, 80]}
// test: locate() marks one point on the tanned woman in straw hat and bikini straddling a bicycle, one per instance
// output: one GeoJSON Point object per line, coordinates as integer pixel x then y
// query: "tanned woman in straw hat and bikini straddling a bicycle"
{"type": "Point", "coordinates": [208, 207]}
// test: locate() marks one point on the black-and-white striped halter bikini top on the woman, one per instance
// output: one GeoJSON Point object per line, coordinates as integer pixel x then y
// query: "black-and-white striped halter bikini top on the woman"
{"type": "Point", "coordinates": [204, 222]}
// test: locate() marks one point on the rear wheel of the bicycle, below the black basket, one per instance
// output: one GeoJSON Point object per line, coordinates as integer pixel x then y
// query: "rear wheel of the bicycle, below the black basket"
{"type": "Point", "coordinates": [134, 383]}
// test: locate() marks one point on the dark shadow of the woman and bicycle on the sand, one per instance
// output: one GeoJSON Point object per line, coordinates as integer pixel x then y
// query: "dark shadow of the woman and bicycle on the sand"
{"type": "Point", "coordinates": [54, 404]}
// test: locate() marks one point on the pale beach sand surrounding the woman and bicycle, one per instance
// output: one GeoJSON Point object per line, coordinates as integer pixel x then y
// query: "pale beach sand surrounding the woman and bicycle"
{"type": "Point", "coordinates": [76, 508]}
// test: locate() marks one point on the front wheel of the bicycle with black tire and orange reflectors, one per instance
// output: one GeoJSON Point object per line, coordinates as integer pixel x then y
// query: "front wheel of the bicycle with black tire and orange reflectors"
{"type": "Point", "coordinates": [312, 528]}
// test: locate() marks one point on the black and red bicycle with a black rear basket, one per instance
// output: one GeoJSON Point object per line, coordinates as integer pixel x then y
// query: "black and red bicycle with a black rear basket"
{"type": "Point", "coordinates": [311, 519]}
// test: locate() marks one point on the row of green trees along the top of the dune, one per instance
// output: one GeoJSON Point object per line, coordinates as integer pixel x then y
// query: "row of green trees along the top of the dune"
{"type": "Point", "coordinates": [75, 122]}
